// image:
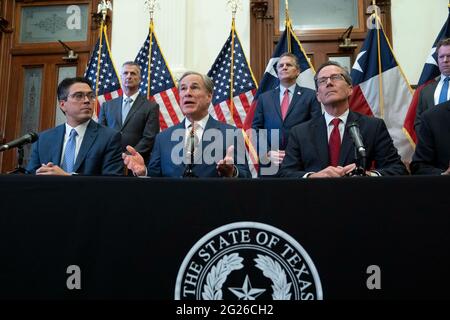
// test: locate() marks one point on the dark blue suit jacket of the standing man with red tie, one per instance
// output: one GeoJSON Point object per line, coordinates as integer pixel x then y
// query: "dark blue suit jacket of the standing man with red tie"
{"type": "Point", "coordinates": [303, 107]}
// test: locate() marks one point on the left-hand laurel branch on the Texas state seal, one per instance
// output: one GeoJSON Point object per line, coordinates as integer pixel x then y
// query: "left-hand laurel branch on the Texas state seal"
{"type": "Point", "coordinates": [215, 279]}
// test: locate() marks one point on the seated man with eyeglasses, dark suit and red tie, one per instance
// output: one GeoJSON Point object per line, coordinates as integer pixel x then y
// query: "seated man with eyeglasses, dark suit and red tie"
{"type": "Point", "coordinates": [323, 147]}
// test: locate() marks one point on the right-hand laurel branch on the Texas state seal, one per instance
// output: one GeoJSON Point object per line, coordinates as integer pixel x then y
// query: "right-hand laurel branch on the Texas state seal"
{"type": "Point", "coordinates": [272, 270]}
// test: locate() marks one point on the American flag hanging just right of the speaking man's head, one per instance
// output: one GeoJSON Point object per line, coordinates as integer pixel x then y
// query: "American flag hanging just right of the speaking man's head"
{"type": "Point", "coordinates": [243, 84]}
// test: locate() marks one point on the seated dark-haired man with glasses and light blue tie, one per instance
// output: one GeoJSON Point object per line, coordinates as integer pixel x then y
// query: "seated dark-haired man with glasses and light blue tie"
{"type": "Point", "coordinates": [79, 146]}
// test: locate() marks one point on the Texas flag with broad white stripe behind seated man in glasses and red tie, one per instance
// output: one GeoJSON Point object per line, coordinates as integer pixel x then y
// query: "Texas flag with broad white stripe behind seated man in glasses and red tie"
{"type": "Point", "coordinates": [381, 89]}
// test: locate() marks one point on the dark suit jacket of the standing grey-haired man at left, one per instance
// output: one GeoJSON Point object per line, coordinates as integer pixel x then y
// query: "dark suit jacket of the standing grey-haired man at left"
{"type": "Point", "coordinates": [140, 126]}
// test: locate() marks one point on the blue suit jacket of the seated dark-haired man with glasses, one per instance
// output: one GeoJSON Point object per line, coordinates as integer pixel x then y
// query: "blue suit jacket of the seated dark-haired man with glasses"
{"type": "Point", "coordinates": [100, 152]}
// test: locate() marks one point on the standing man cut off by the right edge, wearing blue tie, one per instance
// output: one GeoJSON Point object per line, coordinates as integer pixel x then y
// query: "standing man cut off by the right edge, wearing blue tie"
{"type": "Point", "coordinates": [436, 92]}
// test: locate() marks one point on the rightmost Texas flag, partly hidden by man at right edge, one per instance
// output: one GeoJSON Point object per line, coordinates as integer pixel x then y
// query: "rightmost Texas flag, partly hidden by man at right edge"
{"type": "Point", "coordinates": [430, 72]}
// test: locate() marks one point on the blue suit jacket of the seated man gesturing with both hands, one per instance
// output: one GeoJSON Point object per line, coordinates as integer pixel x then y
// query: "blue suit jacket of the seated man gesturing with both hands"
{"type": "Point", "coordinates": [165, 151]}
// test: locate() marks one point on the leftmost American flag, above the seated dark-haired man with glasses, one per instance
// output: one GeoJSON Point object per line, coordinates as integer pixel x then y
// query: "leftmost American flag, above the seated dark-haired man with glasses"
{"type": "Point", "coordinates": [103, 73]}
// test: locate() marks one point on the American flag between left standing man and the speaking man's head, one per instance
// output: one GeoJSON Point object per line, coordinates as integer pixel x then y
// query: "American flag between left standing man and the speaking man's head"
{"type": "Point", "coordinates": [157, 82]}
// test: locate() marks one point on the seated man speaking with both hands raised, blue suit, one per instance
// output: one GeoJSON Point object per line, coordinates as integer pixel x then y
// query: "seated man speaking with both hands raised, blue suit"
{"type": "Point", "coordinates": [199, 146]}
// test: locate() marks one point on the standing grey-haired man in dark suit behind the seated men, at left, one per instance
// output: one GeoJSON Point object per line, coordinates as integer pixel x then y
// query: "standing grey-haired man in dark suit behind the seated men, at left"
{"type": "Point", "coordinates": [133, 114]}
